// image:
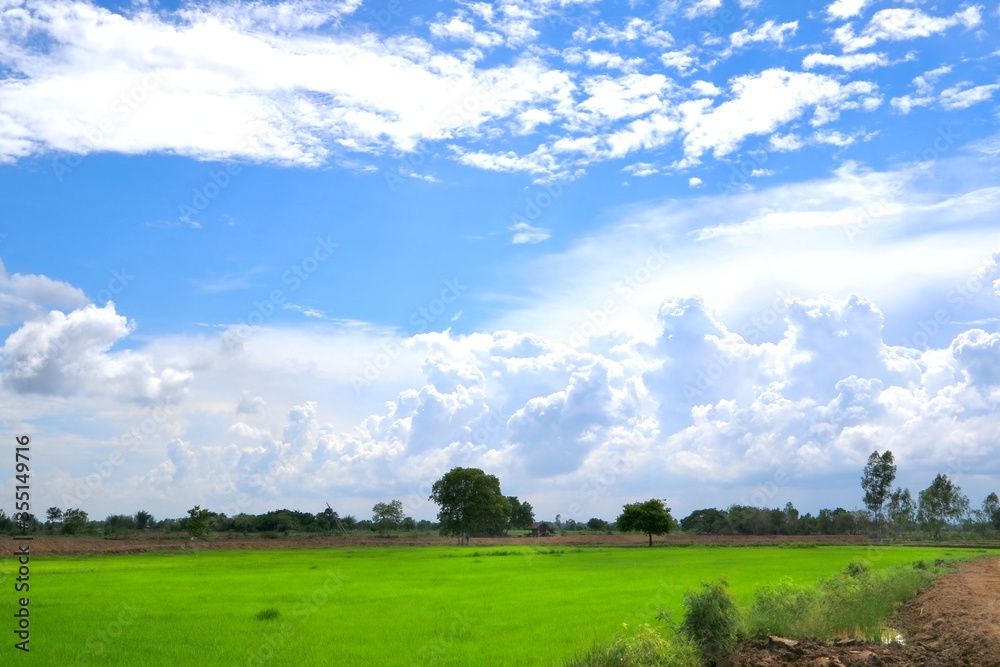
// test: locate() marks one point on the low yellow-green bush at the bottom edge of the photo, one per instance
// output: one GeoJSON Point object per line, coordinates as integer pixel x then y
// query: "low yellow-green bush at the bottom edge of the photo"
{"type": "Point", "coordinates": [645, 648]}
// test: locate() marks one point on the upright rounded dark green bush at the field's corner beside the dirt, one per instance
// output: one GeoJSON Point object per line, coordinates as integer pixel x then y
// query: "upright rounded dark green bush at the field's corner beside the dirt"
{"type": "Point", "coordinates": [711, 621]}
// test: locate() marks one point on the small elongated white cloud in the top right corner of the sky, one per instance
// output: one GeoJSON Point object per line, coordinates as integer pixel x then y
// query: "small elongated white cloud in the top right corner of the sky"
{"type": "Point", "coordinates": [903, 24]}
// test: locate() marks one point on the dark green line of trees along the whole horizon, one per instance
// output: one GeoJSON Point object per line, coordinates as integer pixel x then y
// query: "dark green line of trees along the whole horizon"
{"type": "Point", "coordinates": [471, 503]}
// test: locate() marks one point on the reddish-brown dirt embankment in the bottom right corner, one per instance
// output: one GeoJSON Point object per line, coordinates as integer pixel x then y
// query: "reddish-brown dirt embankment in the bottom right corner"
{"type": "Point", "coordinates": [954, 623]}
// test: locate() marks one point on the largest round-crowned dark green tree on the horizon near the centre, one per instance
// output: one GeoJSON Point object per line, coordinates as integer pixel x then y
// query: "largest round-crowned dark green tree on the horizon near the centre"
{"type": "Point", "coordinates": [471, 503]}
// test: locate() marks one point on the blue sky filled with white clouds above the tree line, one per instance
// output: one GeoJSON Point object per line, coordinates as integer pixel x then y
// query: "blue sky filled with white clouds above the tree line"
{"type": "Point", "coordinates": [712, 251]}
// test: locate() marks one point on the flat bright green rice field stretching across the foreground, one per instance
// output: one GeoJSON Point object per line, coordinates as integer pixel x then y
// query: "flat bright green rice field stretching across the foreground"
{"type": "Point", "coordinates": [385, 607]}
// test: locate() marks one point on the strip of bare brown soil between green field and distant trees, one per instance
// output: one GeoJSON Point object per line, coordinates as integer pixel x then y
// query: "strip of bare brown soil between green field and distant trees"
{"type": "Point", "coordinates": [60, 545]}
